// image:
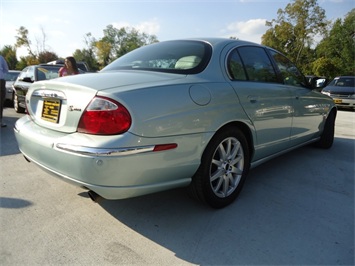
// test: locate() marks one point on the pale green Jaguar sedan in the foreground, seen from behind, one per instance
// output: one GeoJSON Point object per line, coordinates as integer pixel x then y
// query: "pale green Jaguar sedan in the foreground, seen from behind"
{"type": "Point", "coordinates": [196, 113]}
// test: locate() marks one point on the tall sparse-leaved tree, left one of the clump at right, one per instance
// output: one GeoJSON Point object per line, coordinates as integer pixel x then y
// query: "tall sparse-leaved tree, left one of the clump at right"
{"type": "Point", "coordinates": [295, 28]}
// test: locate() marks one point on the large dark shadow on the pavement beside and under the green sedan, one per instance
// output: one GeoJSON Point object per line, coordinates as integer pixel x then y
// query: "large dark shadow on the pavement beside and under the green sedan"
{"type": "Point", "coordinates": [277, 219]}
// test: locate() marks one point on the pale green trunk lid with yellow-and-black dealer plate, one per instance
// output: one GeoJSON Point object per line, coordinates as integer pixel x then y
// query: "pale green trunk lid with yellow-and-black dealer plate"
{"type": "Point", "coordinates": [58, 104]}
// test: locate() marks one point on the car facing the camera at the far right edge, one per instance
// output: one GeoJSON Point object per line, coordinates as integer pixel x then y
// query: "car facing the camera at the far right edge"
{"type": "Point", "coordinates": [342, 90]}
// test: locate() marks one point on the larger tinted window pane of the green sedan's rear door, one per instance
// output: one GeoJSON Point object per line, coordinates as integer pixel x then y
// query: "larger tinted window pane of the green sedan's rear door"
{"type": "Point", "coordinates": [257, 64]}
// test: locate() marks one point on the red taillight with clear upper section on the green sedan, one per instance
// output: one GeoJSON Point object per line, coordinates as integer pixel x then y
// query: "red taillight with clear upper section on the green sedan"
{"type": "Point", "coordinates": [104, 116]}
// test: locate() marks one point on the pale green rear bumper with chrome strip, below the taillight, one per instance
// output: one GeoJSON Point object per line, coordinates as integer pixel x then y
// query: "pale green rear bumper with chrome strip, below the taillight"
{"type": "Point", "coordinates": [131, 172]}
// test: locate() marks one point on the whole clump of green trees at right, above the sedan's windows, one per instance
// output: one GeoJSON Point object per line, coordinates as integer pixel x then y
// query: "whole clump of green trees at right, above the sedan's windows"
{"type": "Point", "coordinates": [294, 33]}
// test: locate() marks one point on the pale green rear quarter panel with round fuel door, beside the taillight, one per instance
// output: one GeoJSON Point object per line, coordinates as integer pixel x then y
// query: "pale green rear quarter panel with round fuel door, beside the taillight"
{"type": "Point", "coordinates": [172, 109]}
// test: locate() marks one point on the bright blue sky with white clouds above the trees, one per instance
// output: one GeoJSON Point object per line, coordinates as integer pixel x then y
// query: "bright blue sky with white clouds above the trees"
{"type": "Point", "coordinates": [66, 22]}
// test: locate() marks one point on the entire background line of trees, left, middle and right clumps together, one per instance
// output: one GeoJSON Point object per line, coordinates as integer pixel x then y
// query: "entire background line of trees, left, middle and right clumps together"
{"type": "Point", "coordinates": [293, 32]}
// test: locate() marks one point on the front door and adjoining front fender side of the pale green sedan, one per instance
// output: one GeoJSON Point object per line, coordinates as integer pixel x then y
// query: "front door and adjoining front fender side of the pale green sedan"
{"type": "Point", "coordinates": [309, 110]}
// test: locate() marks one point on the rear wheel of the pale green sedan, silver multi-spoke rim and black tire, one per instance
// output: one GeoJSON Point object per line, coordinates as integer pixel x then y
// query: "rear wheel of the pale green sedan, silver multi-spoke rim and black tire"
{"type": "Point", "coordinates": [223, 169]}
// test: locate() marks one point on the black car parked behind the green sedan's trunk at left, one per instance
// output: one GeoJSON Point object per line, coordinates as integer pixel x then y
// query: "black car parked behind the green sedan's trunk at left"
{"type": "Point", "coordinates": [28, 76]}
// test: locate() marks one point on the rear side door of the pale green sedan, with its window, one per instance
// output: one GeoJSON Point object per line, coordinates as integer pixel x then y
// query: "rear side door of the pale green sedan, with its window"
{"type": "Point", "coordinates": [267, 102]}
